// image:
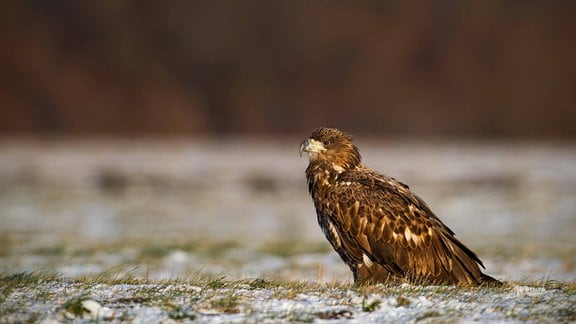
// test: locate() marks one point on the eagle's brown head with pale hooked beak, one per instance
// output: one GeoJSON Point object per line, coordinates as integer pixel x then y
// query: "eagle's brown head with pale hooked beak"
{"type": "Point", "coordinates": [332, 148]}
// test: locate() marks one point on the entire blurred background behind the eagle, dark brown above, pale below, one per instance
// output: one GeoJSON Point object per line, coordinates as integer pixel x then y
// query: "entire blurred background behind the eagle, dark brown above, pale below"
{"type": "Point", "coordinates": [162, 137]}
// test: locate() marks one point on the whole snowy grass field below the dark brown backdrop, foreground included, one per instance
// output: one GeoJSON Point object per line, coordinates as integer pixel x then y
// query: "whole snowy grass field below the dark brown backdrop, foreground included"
{"type": "Point", "coordinates": [223, 230]}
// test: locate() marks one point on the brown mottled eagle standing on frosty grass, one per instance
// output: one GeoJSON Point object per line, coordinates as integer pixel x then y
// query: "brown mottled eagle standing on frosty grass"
{"type": "Point", "coordinates": [379, 228]}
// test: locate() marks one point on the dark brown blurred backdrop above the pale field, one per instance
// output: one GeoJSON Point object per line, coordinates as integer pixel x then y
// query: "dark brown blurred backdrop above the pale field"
{"type": "Point", "coordinates": [444, 67]}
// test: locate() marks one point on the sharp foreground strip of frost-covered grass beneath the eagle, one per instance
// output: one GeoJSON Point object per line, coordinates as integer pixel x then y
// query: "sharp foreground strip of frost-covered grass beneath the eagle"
{"type": "Point", "coordinates": [35, 297]}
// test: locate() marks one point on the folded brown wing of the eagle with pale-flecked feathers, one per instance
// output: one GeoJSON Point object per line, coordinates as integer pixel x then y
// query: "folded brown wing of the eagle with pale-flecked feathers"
{"type": "Point", "coordinates": [380, 218]}
